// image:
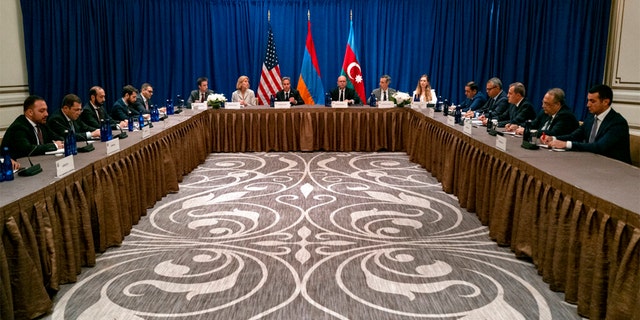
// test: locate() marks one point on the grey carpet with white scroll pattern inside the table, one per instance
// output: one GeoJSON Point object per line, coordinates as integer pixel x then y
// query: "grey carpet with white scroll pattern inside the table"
{"type": "Point", "coordinates": [309, 236]}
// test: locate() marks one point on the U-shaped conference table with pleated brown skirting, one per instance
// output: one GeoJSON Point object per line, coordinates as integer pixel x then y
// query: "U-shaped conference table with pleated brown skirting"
{"type": "Point", "coordinates": [575, 215]}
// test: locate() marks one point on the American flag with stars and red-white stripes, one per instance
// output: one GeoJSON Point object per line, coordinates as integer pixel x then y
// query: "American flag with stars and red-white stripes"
{"type": "Point", "coordinates": [270, 82]}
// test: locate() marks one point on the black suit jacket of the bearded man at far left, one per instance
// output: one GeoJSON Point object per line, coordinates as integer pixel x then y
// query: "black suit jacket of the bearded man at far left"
{"type": "Point", "coordinates": [21, 139]}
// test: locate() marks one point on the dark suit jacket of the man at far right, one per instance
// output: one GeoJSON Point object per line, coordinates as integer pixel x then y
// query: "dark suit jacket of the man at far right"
{"type": "Point", "coordinates": [612, 139]}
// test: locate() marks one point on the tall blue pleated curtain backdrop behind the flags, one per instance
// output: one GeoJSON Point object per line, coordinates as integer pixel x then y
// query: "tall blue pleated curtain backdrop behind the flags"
{"type": "Point", "coordinates": [72, 45]}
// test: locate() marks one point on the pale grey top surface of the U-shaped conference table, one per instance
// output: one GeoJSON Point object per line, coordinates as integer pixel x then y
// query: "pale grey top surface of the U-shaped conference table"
{"type": "Point", "coordinates": [617, 182]}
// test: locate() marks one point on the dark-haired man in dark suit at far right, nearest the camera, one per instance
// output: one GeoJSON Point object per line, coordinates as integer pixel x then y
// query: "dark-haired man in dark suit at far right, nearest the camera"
{"type": "Point", "coordinates": [606, 133]}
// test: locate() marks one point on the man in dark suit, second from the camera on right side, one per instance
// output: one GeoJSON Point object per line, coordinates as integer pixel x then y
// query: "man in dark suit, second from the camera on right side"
{"type": "Point", "coordinates": [556, 118]}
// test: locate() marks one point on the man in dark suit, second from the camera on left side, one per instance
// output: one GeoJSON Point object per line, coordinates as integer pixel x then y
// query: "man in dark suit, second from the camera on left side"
{"type": "Point", "coordinates": [67, 119]}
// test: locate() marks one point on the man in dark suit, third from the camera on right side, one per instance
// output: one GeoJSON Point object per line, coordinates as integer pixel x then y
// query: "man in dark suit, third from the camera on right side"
{"type": "Point", "coordinates": [520, 108]}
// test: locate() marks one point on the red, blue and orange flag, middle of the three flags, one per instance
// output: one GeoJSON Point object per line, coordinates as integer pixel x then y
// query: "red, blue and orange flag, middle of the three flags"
{"type": "Point", "coordinates": [310, 83]}
